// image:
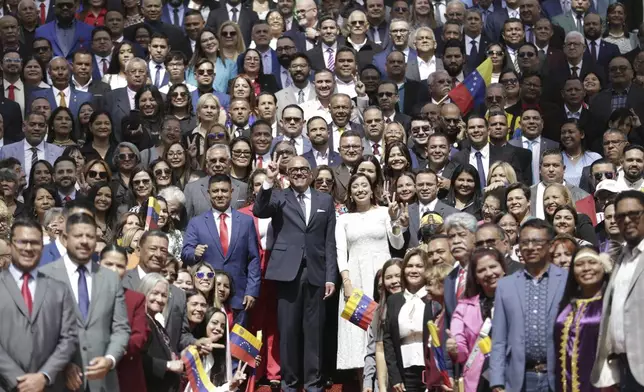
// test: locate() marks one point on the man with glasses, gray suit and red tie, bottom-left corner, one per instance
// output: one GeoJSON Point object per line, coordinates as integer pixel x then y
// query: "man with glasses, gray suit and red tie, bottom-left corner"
{"type": "Point", "coordinates": [39, 334]}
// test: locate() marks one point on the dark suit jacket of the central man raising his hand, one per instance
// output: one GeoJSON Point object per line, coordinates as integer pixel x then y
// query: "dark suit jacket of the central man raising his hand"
{"type": "Point", "coordinates": [295, 240]}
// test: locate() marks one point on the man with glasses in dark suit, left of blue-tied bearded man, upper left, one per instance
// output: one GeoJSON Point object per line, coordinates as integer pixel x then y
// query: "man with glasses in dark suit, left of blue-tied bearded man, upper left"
{"type": "Point", "coordinates": [120, 102]}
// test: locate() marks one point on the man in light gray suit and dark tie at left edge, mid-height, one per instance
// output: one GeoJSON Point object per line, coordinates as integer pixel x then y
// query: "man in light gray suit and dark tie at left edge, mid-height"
{"type": "Point", "coordinates": [33, 147]}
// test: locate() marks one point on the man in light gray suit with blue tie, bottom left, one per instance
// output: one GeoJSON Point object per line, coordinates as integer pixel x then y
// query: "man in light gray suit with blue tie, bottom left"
{"type": "Point", "coordinates": [101, 315]}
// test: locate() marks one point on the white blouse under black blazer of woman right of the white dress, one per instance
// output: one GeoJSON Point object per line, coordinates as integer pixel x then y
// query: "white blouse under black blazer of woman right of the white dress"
{"type": "Point", "coordinates": [410, 326]}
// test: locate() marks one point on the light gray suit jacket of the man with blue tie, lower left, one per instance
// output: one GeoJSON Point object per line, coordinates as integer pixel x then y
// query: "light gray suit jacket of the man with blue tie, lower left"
{"type": "Point", "coordinates": [106, 330]}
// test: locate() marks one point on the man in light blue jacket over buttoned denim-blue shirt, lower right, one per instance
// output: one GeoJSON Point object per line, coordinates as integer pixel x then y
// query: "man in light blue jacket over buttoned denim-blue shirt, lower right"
{"type": "Point", "coordinates": [526, 305]}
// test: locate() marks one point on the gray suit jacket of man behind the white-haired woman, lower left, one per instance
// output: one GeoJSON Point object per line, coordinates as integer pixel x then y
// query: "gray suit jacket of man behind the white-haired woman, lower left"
{"type": "Point", "coordinates": [176, 318]}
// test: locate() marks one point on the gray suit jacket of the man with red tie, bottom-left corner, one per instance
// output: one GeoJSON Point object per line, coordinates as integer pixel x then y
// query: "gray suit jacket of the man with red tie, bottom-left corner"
{"type": "Point", "coordinates": [43, 342]}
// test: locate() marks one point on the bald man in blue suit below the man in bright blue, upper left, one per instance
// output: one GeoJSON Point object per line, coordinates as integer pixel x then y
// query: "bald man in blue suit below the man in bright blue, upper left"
{"type": "Point", "coordinates": [62, 93]}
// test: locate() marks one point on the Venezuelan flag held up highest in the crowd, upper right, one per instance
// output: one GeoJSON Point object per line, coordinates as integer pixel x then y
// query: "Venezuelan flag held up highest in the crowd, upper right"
{"type": "Point", "coordinates": [471, 92]}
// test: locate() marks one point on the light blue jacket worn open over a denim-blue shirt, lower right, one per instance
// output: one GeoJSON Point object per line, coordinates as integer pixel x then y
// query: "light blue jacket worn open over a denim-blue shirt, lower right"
{"type": "Point", "coordinates": [507, 363]}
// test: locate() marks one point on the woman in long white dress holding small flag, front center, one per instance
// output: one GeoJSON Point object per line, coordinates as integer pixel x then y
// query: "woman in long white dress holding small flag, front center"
{"type": "Point", "coordinates": [362, 239]}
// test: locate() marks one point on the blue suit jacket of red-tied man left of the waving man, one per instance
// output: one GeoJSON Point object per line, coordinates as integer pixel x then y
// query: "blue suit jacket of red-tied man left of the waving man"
{"type": "Point", "coordinates": [242, 258]}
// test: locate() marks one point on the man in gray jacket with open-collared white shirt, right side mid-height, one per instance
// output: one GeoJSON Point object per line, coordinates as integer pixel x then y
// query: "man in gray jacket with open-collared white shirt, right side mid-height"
{"type": "Point", "coordinates": [552, 172]}
